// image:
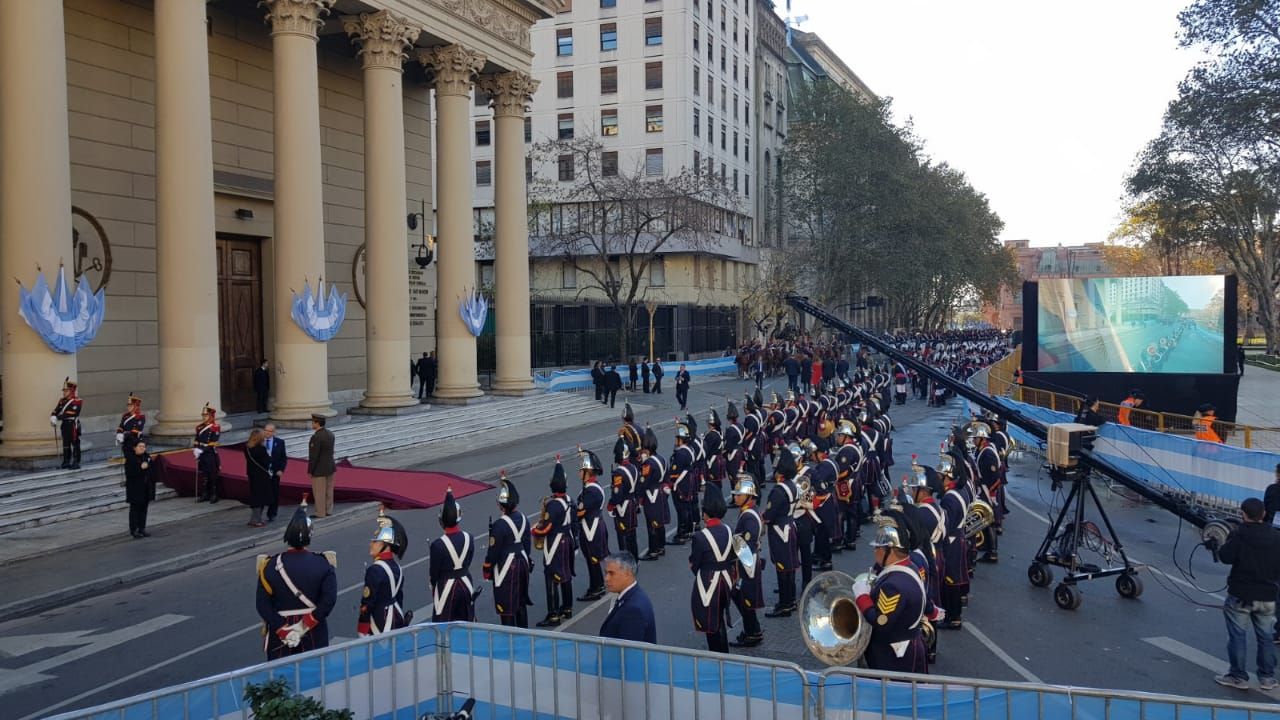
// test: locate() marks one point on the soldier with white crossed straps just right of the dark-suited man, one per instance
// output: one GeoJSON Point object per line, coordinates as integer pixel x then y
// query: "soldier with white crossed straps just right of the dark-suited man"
{"type": "Point", "coordinates": [714, 563]}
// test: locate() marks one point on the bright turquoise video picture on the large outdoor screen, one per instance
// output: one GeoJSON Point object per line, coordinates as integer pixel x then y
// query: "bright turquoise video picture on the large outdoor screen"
{"type": "Point", "coordinates": [1153, 325]}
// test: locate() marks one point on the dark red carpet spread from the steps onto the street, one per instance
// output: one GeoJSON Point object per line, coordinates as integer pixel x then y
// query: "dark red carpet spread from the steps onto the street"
{"type": "Point", "coordinates": [399, 490]}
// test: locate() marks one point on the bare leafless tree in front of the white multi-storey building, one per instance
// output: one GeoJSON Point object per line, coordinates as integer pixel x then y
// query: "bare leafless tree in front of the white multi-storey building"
{"type": "Point", "coordinates": [612, 221]}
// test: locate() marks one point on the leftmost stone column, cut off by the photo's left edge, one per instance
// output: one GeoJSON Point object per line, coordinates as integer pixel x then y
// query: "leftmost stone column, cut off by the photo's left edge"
{"type": "Point", "coordinates": [35, 215]}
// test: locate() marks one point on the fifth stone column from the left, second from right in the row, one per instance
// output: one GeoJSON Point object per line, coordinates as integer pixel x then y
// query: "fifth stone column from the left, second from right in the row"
{"type": "Point", "coordinates": [455, 69]}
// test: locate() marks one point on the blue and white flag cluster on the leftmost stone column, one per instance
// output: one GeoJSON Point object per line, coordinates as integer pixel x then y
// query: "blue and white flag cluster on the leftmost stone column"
{"type": "Point", "coordinates": [65, 320]}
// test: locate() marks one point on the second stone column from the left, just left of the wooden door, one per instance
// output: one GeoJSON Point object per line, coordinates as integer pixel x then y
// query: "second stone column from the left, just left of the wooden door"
{"type": "Point", "coordinates": [186, 245]}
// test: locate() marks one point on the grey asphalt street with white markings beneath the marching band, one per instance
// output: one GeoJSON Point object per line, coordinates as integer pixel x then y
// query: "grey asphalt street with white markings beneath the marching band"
{"type": "Point", "coordinates": [191, 625]}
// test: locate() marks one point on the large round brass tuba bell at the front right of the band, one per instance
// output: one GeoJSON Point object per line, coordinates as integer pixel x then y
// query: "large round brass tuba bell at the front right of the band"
{"type": "Point", "coordinates": [833, 627]}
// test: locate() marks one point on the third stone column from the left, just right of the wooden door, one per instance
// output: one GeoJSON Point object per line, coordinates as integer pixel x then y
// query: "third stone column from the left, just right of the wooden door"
{"type": "Point", "coordinates": [301, 364]}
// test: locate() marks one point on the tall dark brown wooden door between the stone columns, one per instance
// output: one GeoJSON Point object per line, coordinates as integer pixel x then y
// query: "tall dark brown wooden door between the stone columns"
{"type": "Point", "coordinates": [240, 320]}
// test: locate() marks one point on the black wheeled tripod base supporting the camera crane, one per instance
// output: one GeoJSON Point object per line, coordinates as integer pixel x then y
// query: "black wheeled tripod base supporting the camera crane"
{"type": "Point", "coordinates": [1066, 537]}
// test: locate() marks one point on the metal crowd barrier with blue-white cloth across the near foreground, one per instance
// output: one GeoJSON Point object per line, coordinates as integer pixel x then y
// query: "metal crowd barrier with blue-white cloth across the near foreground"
{"type": "Point", "coordinates": [514, 673]}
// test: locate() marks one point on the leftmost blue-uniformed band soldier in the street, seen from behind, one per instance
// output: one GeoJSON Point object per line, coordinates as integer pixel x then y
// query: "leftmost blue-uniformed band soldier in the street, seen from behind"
{"type": "Point", "coordinates": [296, 594]}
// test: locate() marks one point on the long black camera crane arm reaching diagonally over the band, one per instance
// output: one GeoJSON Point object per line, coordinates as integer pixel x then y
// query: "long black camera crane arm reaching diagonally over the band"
{"type": "Point", "coordinates": [1195, 516]}
